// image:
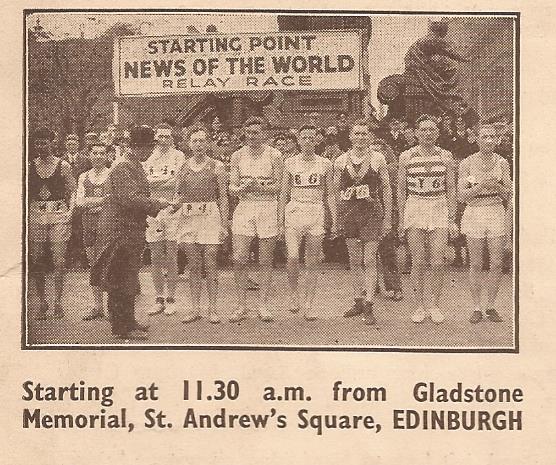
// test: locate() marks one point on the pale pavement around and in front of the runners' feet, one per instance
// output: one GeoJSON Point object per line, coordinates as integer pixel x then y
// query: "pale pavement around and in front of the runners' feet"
{"type": "Point", "coordinates": [394, 328]}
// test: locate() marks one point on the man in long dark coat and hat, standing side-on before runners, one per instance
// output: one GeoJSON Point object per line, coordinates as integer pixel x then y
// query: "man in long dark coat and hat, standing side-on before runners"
{"type": "Point", "coordinates": [121, 234]}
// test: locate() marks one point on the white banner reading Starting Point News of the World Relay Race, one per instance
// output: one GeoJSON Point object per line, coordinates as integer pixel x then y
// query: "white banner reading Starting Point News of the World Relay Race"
{"type": "Point", "coordinates": [165, 65]}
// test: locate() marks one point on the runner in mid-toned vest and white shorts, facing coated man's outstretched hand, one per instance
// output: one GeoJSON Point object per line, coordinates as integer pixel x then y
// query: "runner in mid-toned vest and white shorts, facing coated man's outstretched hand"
{"type": "Point", "coordinates": [202, 201]}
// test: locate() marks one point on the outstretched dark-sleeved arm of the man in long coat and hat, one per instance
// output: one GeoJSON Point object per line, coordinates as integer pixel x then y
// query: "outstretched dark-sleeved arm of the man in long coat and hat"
{"type": "Point", "coordinates": [125, 192]}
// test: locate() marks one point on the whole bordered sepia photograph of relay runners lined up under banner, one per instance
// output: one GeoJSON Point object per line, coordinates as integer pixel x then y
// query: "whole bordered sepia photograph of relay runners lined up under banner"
{"type": "Point", "coordinates": [271, 180]}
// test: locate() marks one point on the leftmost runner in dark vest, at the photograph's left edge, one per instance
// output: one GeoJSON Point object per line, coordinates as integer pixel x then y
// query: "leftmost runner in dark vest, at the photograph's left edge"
{"type": "Point", "coordinates": [51, 199]}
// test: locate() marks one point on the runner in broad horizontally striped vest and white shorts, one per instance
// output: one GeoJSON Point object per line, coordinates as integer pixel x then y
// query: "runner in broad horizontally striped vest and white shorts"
{"type": "Point", "coordinates": [427, 206]}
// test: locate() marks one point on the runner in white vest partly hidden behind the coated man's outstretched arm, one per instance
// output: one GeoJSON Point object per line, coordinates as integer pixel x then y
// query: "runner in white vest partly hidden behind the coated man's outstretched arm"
{"type": "Point", "coordinates": [161, 168]}
